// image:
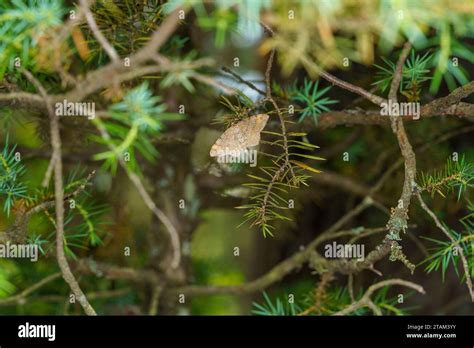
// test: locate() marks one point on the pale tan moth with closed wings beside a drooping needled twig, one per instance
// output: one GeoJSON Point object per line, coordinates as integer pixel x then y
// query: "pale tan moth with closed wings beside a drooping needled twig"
{"type": "Point", "coordinates": [240, 136]}
